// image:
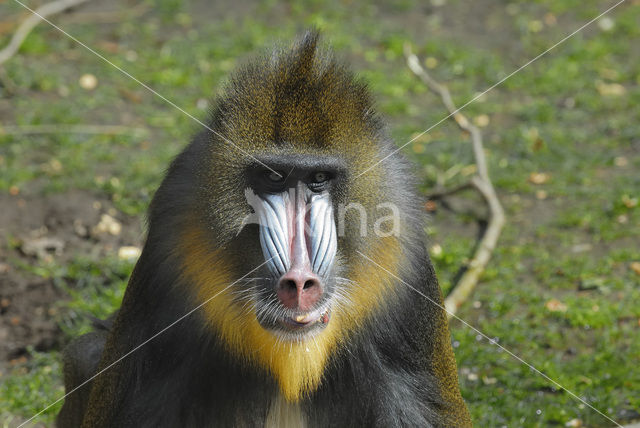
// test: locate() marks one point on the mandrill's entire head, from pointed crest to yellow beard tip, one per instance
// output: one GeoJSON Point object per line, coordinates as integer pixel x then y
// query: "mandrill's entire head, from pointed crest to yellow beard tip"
{"type": "Point", "coordinates": [269, 212]}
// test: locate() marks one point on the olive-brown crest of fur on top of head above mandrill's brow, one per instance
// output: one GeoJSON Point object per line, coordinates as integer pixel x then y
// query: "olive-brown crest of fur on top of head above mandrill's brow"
{"type": "Point", "coordinates": [300, 97]}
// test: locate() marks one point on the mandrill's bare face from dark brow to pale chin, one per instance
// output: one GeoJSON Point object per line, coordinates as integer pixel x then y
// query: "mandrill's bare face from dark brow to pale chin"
{"type": "Point", "coordinates": [297, 232]}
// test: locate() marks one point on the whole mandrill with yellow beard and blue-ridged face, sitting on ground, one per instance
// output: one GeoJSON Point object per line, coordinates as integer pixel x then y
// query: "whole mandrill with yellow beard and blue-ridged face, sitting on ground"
{"type": "Point", "coordinates": [274, 288]}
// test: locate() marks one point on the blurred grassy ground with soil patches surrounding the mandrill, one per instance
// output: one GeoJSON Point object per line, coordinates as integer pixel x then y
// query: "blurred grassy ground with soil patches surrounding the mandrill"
{"type": "Point", "coordinates": [83, 148]}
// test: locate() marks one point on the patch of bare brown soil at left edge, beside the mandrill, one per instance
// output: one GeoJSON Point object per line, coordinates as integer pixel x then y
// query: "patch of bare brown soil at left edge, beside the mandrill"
{"type": "Point", "coordinates": [40, 231]}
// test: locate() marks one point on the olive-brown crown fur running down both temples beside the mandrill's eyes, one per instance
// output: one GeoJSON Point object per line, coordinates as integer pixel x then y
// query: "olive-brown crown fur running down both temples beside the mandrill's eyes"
{"type": "Point", "coordinates": [300, 100]}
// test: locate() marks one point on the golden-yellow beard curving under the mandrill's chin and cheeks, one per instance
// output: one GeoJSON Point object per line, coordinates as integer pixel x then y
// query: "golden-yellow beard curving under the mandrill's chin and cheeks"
{"type": "Point", "coordinates": [297, 366]}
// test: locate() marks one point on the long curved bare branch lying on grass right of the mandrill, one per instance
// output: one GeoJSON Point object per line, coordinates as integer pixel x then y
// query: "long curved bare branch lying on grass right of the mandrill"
{"type": "Point", "coordinates": [481, 182]}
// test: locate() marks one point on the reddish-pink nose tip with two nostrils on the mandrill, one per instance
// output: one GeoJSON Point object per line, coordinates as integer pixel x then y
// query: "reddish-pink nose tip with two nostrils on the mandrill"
{"type": "Point", "coordinates": [299, 289]}
